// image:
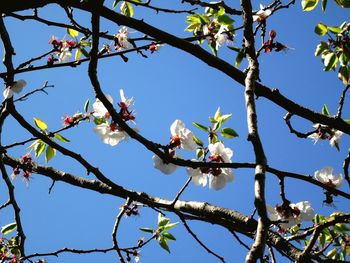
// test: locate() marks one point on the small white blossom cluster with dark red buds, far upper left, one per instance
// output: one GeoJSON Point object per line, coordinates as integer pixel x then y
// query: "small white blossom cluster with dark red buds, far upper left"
{"type": "Point", "coordinates": [63, 50]}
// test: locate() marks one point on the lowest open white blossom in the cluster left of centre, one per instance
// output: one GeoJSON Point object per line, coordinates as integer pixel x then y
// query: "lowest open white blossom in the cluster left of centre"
{"type": "Point", "coordinates": [110, 134]}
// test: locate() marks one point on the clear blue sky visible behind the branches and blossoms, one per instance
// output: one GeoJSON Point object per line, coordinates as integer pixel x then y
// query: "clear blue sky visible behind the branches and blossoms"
{"type": "Point", "coordinates": [169, 85]}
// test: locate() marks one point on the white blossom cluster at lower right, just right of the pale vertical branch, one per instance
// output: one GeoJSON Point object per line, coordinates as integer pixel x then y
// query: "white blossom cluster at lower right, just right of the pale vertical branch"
{"type": "Point", "coordinates": [293, 214]}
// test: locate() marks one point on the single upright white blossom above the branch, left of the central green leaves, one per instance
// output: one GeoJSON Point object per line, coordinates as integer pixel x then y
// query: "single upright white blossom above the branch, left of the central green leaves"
{"type": "Point", "coordinates": [182, 135]}
